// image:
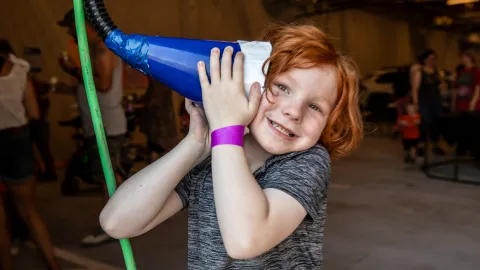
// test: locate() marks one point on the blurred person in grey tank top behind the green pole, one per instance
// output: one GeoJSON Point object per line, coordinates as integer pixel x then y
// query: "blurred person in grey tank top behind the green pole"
{"type": "Point", "coordinates": [108, 72]}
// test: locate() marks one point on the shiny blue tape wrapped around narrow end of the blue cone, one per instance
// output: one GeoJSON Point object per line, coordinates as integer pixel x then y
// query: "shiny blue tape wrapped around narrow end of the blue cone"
{"type": "Point", "coordinates": [133, 49]}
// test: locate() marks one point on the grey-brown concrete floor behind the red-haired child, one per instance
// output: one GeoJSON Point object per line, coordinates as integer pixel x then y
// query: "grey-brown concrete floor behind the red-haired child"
{"type": "Point", "coordinates": [382, 214]}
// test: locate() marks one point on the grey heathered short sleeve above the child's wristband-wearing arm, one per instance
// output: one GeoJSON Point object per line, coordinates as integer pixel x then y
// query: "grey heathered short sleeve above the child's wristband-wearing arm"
{"type": "Point", "coordinates": [305, 177]}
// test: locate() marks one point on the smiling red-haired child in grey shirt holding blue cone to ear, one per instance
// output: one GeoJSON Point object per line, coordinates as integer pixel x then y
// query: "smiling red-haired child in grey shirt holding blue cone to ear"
{"type": "Point", "coordinates": [256, 201]}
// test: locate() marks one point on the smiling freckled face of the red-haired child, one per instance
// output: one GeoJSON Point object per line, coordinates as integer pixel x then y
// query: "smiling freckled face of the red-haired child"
{"type": "Point", "coordinates": [302, 100]}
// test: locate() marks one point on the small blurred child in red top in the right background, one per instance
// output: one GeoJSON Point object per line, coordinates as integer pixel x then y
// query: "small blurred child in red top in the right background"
{"type": "Point", "coordinates": [411, 132]}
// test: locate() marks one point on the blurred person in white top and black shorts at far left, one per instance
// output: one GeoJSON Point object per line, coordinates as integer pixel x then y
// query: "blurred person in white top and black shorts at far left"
{"type": "Point", "coordinates": [18, 105]}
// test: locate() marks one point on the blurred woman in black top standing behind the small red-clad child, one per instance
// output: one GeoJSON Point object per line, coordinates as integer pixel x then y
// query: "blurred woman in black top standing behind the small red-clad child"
{"type": "Point", "coordinates": [426, 96]}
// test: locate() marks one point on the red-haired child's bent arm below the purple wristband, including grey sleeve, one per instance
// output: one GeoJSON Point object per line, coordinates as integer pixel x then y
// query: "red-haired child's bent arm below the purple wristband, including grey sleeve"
{"type": "Point", "coordinates": [252, 220]}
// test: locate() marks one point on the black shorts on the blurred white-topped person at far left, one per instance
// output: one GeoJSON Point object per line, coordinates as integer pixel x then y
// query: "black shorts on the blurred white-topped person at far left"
{"type": "Point", "coordinates": [16, 155]}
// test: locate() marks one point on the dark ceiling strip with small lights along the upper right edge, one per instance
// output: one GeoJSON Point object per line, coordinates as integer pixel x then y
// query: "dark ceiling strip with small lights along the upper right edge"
{"type": "Point", "coordinates": [461, 18]}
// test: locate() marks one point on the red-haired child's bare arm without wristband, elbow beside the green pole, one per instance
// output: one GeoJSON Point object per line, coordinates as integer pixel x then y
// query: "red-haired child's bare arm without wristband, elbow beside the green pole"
{"type": "Point", "coordinates": [148, 198]}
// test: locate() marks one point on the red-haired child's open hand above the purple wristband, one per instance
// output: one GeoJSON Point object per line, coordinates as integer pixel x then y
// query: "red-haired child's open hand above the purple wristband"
{"type": "Point", "coordinates": [224, 97]}
